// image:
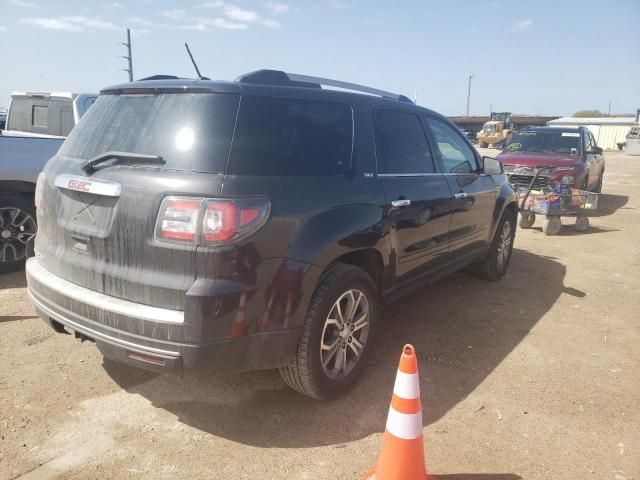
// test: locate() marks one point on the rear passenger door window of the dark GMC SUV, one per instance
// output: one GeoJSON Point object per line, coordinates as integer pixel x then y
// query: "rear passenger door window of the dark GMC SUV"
{"type": "Point", "coordinates": [401, 144]}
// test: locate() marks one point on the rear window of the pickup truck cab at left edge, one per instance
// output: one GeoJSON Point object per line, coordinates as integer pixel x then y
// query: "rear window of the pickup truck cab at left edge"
{"type": "Point", "coordinates": [41, 115]}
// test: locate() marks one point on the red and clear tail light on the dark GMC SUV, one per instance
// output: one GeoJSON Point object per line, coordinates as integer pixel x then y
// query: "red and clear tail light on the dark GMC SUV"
{"type": "Point", "coordinates": [209, 222]}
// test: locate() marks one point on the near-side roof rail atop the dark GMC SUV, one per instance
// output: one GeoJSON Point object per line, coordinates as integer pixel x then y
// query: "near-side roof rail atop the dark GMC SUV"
{"type": "Point", "coordinates": [278, 77]}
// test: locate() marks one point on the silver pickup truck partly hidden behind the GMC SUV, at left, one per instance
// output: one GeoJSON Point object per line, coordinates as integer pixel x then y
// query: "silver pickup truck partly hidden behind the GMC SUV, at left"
{"type": "Point", "coordinates": [37, 123]}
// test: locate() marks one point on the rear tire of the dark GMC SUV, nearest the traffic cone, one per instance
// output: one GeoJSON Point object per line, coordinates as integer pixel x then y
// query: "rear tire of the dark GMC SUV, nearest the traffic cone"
{"type": "Point", "coordinates": [313, 371]}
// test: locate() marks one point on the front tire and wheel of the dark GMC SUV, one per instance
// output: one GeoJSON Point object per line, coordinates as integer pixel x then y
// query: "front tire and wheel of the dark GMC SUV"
{"type": "Point", "coordinates": [496, 263]}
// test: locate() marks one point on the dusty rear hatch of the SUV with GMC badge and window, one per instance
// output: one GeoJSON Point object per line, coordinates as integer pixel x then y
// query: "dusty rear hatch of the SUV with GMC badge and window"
{"type": "Point", "coordinates": [96, 227]}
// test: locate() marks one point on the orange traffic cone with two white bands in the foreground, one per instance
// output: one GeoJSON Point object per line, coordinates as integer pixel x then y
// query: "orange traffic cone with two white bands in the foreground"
{"type": "Point", "coordinates": [402, 454]}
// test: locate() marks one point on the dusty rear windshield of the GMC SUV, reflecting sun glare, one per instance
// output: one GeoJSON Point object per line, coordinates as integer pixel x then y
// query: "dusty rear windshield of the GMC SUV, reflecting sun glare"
{"type": "Point", "coordinates": [190, 131]}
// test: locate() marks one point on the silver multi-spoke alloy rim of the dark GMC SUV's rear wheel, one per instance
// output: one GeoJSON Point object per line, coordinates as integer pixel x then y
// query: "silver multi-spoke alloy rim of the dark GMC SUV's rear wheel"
{"type": "Point", "coordinates": [344, 335]}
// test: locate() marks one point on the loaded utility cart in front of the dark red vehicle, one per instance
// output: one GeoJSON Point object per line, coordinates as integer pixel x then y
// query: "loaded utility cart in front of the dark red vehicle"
{"type": "Point", "coordinates": [555, 203]}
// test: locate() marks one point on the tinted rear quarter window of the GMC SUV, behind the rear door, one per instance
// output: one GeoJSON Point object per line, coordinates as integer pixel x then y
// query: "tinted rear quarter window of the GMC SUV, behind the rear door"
{"type": "Point", "coordinates": [287, 136]}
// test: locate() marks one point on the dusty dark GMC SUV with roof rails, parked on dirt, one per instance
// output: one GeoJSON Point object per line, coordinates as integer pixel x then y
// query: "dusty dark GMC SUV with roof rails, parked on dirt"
{"type": "Point", "coordinates": [260, 223]}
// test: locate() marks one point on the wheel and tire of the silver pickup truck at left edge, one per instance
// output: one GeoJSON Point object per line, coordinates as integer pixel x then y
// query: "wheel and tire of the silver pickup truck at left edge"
{"type": "Point", "coordinates": [17, 223]}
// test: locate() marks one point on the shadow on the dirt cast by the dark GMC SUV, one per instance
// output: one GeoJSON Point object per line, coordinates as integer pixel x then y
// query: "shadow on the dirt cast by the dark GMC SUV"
{"type": "Point", "coordinates": [462, 328]}
